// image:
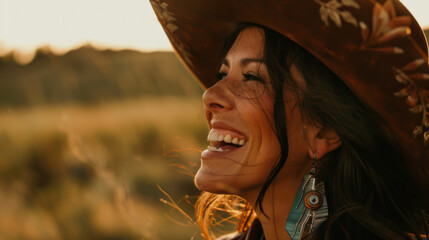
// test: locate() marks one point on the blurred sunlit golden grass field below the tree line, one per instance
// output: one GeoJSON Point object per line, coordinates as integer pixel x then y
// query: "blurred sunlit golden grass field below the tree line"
{"type": "Point", "coordinates": [96, 172]}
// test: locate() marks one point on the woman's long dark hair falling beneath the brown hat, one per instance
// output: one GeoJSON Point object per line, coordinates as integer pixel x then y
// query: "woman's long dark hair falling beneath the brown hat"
{"type": "Point", "coordinates": [370, 193]}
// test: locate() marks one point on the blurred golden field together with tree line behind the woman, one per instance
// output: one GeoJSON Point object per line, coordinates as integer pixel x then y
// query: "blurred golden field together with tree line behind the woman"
{"type": "Point", "coordinates": [93, 141]}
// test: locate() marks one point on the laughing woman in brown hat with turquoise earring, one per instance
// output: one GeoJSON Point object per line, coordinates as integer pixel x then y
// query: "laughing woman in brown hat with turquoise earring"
{"type": "Point", "coordinates": [314, 142]}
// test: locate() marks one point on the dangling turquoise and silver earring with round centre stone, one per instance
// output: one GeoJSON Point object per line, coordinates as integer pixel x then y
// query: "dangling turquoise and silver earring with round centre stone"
{"type": "Point", "coordinates": [305, 218]}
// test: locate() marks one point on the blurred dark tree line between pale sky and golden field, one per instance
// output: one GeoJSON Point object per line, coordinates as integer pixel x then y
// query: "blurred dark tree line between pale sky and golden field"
{"type": "Point", "coordinates": [87, 75]}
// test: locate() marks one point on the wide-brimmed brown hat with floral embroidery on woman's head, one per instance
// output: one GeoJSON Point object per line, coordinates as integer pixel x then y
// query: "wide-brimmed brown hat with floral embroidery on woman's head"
{"type": "Point", "coordinates": [375, 46]}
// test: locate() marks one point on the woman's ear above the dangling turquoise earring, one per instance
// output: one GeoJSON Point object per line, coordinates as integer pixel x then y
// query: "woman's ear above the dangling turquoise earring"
{"type": "Point", "coordinates": [322, 141]}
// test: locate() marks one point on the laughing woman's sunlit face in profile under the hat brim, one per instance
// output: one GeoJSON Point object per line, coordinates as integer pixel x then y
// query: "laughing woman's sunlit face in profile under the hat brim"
{"type": "Point", "coordinates": [243, 147]}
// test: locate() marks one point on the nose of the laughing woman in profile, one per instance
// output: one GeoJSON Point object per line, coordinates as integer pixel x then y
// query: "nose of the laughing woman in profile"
{"type": "Point", "coordinates": [216, 98]}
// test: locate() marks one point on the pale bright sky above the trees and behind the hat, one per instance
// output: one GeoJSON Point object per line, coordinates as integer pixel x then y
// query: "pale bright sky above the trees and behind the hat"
{"type": "Point", "coordinates": [64, 24]}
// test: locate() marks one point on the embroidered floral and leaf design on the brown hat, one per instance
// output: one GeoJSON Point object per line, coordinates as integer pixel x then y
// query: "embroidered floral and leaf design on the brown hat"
{"type": "Point", "coordinates": [387, 27]}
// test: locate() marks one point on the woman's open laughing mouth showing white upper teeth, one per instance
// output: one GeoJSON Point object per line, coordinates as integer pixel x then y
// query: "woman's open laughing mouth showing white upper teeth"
{"type": "Point", "coordinates": [222, 141]}
